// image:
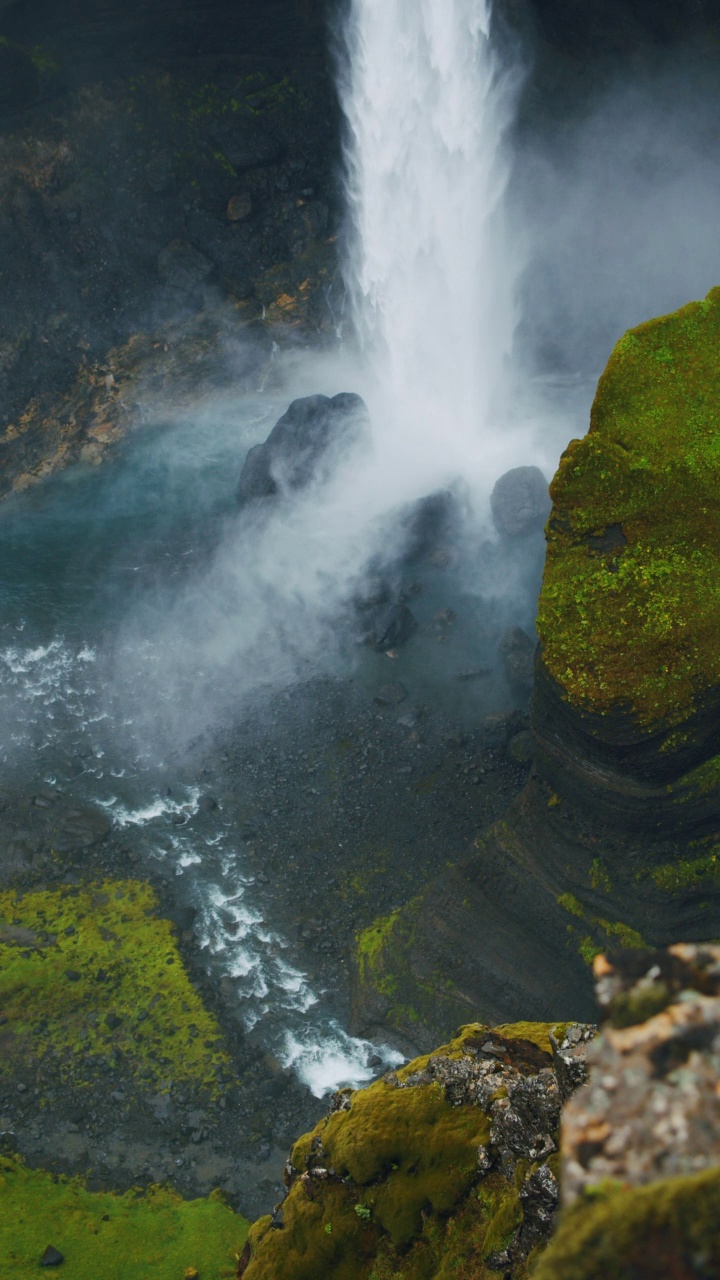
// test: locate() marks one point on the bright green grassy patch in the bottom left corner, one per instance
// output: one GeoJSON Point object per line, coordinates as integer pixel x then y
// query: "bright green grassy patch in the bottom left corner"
{"type": "Point", "coordinates": [129, 1237]}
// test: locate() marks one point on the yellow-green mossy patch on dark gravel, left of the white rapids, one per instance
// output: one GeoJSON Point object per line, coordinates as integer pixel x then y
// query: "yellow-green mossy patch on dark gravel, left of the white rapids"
{"type": "Point", "coordinates": [92, 979]}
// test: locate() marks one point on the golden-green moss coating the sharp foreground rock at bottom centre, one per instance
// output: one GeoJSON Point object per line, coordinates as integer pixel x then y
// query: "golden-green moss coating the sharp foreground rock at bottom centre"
{"type": "Point", "coordinates": [407, 1200]}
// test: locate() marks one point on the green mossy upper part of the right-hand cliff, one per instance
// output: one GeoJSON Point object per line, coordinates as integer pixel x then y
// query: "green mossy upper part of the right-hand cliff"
{"type": "Point", "coordinates": [630, 609]}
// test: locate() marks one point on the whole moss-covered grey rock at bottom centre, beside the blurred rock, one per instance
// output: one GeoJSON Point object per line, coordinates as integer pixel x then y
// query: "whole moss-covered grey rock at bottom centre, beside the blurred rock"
{"type": "Point", "coordinates": [445, 1168]}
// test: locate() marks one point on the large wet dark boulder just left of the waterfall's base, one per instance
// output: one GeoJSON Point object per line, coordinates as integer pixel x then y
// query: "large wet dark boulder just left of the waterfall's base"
{"type": "Point", "coordinates": [306, 446]}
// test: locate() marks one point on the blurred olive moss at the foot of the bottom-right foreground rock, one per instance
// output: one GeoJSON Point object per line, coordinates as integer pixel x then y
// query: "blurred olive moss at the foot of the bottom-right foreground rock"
{"type": "Point", "coordinates": [666, 1229]}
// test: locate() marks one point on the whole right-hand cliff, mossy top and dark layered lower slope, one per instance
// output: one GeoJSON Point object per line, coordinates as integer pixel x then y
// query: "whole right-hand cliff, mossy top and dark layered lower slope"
{"type": "Point", "coordinates": [616, 840]}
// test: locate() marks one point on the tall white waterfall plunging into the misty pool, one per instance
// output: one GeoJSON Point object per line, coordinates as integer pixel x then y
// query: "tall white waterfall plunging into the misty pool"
{"type": "Point", "coordinates": [429, 272]}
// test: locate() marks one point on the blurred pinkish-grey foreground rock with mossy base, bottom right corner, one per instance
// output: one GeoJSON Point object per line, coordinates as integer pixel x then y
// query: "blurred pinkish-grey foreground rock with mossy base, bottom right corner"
{"type": "Point", "coordinates": [641, 1153]}
